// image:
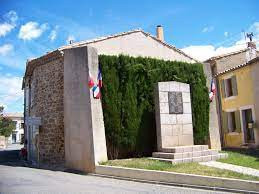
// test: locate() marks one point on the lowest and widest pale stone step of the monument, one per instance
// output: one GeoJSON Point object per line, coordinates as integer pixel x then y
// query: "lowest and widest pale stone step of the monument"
{"type": "Point", "coordinates": [193, 159]}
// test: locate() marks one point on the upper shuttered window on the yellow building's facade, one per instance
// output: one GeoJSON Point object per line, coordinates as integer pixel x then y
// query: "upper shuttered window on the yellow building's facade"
{"type": "Point", "coordinates": [229, 87]}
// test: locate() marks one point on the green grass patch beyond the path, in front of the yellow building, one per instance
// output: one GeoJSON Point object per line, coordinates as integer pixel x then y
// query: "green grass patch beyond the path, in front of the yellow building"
{"type": "Point", "coordinates": [246, 158]}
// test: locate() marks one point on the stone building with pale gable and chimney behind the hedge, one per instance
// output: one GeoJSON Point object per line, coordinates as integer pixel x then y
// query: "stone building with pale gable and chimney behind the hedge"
{"type": "Point", "coordinates": [43, 86]}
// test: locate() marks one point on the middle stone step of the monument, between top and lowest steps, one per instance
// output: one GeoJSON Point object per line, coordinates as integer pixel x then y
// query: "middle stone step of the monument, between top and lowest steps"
{"type": "Point", "coordinates": [184, 154]}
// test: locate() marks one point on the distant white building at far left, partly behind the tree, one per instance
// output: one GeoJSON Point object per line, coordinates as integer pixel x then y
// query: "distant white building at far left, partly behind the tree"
{"type": "Point", "coordinates": [18, 133]}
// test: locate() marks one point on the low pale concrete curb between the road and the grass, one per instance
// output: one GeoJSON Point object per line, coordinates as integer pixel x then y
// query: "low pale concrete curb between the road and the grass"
{"type": "Point", "coordinates": [179, 179]}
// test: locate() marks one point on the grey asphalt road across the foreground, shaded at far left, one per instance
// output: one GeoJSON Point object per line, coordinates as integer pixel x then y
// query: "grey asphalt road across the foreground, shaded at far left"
{"type": "Point", "coordinates": [19, 179]}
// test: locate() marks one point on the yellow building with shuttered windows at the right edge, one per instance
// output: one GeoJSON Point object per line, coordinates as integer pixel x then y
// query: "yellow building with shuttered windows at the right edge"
{"type": "Point", "coordinates": [239, 102]}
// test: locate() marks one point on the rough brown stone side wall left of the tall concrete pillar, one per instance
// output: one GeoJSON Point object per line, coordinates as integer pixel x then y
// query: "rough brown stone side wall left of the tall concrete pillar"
{"type": "Point", "coordinates": [47, 103]}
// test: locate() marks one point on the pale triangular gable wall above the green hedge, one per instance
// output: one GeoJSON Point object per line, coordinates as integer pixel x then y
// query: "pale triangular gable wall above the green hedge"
{"type": "Point", "coordinates": [138, 44]}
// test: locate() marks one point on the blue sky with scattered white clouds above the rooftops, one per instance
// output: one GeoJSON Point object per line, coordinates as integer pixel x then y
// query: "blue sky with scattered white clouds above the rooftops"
{"type": "Point", "coordinates": [31, 28]}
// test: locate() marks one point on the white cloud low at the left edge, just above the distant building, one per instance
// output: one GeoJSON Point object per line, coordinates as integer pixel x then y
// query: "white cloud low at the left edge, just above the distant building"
{"type": "Point", "coordinates": [10, 91]}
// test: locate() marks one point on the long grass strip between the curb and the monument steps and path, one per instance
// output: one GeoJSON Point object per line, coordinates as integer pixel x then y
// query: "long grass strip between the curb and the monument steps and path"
{"type": "Point", "coordinates": [189, 168]}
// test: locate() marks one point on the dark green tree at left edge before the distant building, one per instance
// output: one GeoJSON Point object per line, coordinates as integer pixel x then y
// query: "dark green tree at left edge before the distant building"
{"type": "Point", "coordinates": [6, 124]}
